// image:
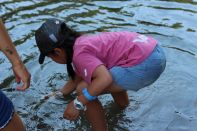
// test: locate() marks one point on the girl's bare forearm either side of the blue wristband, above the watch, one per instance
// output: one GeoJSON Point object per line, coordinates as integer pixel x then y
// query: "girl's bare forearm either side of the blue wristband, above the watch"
{"type": "Point", "coordinates": [101, 80]}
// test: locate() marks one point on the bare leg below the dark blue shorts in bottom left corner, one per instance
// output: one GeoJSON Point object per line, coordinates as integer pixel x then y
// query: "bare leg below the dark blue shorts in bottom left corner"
{"type": "Point", "coordinates": [15, 124]}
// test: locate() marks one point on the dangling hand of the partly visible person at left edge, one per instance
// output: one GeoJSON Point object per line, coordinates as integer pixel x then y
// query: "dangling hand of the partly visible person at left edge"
{"type": "Point", "coordinates": [21, 74]}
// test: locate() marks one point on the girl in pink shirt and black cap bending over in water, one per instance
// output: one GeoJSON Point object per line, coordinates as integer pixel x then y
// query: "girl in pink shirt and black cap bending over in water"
{"type": "Point", "coordinates": [111, 62]}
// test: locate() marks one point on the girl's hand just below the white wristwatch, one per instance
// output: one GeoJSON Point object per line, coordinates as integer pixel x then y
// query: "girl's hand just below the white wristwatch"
{"type": "Point", "coordinates": [71, 113]}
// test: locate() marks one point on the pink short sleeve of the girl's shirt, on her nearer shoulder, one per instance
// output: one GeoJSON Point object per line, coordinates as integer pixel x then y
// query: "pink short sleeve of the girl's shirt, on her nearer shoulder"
{"type": "Point", "coordinates": [85, 65]}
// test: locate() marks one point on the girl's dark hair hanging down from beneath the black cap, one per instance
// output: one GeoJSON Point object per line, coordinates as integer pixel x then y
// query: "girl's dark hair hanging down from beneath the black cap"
{"type": "Point", "coordinates": [67, 45]}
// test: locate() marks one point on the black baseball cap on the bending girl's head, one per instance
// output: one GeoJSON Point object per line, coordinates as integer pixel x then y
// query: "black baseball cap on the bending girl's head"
{"type": "Point", "coordinates": [49, 36]}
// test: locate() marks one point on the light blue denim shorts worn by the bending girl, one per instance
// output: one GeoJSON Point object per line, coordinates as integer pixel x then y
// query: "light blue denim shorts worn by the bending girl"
{"type": "Point", "coordinates": [141, 75]}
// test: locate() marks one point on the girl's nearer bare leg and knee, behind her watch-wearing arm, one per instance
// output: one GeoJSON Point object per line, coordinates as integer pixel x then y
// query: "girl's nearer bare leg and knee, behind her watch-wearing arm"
{"type": "Point", "coordinates": [94, 113]}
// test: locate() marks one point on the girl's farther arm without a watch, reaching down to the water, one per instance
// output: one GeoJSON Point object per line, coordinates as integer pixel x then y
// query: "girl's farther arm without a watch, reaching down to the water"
{"type": "Point", "coordinates": [71, 85]}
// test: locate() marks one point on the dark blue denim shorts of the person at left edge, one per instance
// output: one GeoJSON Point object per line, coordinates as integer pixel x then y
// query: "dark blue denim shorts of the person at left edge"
{"type": "Point", "coordinates": [6, 110]}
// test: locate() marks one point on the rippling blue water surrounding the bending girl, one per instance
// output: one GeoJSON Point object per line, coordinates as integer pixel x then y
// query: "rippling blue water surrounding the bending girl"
{"type": "Point", "coordinates": [168, 104]}
